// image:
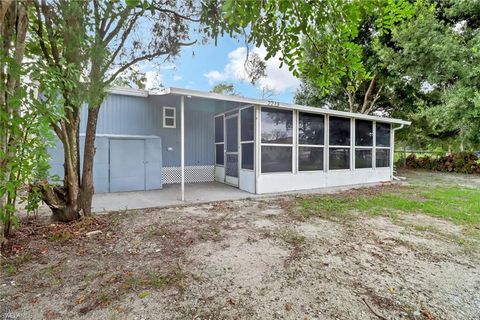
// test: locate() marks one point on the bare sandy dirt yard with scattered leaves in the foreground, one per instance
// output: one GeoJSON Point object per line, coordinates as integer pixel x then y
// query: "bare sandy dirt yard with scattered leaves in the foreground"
{"type": "Point", "coordinates": [248, 259]}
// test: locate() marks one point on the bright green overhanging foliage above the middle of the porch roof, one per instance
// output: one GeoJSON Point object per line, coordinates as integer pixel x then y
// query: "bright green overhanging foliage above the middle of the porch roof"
{"type": "Point", "coordinates": [321, 41]}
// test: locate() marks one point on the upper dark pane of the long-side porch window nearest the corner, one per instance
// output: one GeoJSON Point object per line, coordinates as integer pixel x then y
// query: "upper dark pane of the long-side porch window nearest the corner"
{"type": "Point", "coordinates": [276, 126]}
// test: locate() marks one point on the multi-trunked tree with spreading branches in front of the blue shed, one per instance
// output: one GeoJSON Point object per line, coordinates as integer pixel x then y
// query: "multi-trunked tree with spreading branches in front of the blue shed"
{"type": "Point", "coordinates": [84, 47]}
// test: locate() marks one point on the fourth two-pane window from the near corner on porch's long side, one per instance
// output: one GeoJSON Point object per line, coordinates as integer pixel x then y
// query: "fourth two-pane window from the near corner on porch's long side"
{"type": "Point", "coordinates": [363, 144]}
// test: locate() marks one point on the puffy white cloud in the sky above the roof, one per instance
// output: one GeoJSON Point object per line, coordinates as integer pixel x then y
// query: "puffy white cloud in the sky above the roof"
{"type": "Point", "coordinates": [277, 79]}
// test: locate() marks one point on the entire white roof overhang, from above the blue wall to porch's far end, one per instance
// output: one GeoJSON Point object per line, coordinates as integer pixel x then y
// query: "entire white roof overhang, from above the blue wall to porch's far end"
{"type": "Point", "coordinates": [244, 100]}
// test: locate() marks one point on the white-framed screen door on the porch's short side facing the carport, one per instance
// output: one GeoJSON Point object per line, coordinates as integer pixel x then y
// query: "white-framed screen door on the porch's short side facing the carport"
{"type": "Point", "coordinates": [231, 150]}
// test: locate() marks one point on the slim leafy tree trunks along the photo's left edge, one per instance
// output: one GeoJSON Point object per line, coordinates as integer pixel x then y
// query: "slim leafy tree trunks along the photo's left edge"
{"type": "Point", "coordinates": [24, 133]}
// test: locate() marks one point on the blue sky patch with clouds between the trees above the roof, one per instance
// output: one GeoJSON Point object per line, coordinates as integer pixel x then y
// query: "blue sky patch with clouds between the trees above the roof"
{"type": "Point", "coordinates": [200, 67]}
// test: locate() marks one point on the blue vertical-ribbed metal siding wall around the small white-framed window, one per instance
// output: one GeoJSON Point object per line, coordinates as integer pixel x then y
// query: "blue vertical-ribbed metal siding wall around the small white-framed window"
{"type": "Point", "coordinates": [129, 115]}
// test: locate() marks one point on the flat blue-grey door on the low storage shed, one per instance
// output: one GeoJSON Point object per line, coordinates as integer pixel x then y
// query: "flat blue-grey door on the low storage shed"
{"type": "Point", "coordinates": [127, 165]}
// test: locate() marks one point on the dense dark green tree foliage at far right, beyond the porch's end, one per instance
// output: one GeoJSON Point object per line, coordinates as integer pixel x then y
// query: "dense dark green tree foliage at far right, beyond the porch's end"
{"type": "Point", "coordinates": [437, 52]}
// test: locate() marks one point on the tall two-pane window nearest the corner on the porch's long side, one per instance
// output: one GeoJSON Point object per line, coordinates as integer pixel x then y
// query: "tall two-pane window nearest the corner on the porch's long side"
{"type": "Point", "coordinates": [277, 140]}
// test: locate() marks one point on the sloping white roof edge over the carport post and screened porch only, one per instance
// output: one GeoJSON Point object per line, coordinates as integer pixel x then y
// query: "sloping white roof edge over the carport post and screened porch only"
{"type": "Point", "coordinates": [217, 96]}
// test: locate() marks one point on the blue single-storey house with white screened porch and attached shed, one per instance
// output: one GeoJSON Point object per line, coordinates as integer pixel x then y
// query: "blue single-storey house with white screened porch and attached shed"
{"type": "Point", "coordinates": [146, 140]}
